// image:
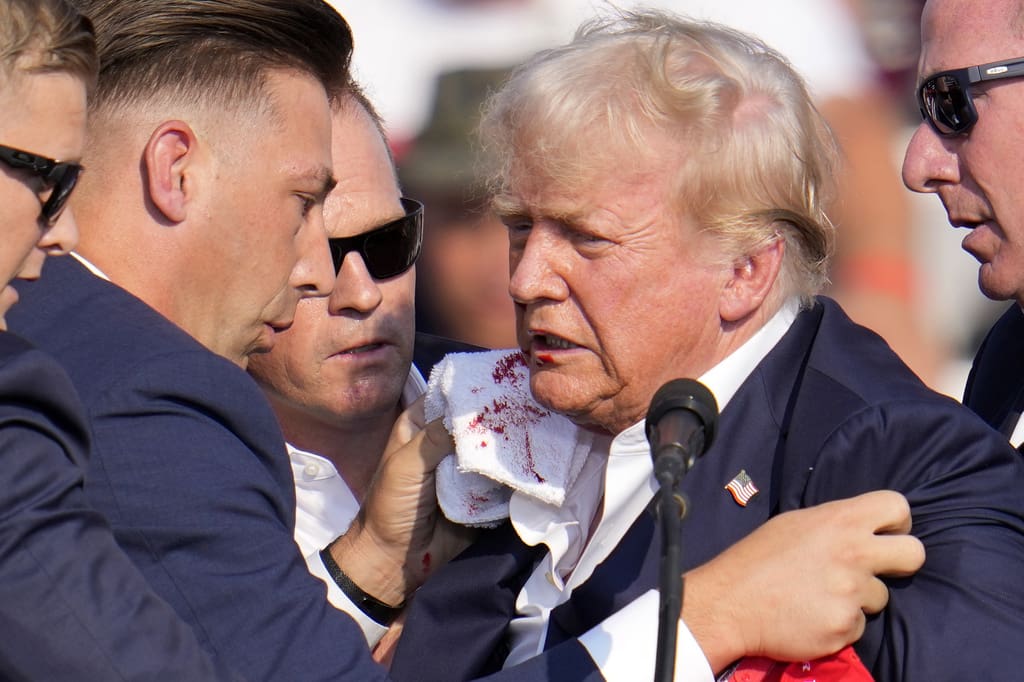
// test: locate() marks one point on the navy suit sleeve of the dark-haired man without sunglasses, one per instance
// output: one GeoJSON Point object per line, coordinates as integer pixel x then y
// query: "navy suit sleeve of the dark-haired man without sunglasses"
{"type": "Point", "coordinates": [192, 471]}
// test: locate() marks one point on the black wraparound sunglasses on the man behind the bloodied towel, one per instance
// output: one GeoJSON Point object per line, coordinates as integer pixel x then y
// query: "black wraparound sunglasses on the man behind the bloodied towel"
{"type": "Point", "coordinates": [389, 250]}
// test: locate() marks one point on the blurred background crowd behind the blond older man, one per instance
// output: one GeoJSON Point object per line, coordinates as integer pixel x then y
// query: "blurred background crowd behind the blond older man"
{"type": "Point", "coordinates": [430, 64]}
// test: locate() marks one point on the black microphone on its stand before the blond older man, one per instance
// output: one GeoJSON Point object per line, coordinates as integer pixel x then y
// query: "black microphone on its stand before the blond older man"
{"type": "Point", "coordinates": [681, 425]}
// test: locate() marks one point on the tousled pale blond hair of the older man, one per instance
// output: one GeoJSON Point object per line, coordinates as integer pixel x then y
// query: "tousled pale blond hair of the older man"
{"type": "Point", "coordinates": [755, 159]}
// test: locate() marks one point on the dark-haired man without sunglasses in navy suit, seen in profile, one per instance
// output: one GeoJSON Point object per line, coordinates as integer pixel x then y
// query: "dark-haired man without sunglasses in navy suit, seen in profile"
{"type": "Point", "coordinates": [209, 156]}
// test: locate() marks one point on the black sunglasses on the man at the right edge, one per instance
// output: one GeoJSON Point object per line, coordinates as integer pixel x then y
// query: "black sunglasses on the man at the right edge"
{"type": "Point", "coordinates": [946, 98]}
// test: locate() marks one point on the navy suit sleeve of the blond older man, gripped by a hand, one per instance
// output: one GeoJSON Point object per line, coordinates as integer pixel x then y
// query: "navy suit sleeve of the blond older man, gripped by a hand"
{"type": "Point", "coordinates": [962, 616]}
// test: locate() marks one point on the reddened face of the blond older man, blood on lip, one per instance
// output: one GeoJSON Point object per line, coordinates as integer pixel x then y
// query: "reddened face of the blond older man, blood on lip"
{"type": "Point", "coordinates": [616, 293]}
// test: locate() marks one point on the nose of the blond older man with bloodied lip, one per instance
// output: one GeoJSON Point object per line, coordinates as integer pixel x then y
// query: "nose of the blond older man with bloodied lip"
{"type": "Point", "coordinates": [538, 262]}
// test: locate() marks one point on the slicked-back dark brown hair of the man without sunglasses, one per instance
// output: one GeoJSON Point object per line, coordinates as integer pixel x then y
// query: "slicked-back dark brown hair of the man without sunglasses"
{"type": "Point", "coordinates": [214, 51]}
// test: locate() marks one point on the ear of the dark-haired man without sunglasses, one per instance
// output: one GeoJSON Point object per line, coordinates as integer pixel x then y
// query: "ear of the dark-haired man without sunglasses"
{"type": "Point", "coordinates": [169, 153]}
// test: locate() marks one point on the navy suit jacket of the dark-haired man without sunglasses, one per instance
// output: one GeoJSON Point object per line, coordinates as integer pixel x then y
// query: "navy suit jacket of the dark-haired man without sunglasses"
{"type": "Point", "coordinates": [190, 467]}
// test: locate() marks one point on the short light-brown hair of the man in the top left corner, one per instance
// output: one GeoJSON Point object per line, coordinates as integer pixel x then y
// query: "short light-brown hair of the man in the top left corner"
{"type": "Point", "coordinates": [47, 36]}
